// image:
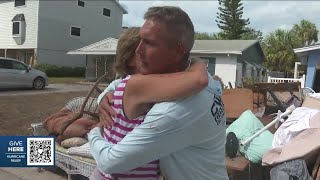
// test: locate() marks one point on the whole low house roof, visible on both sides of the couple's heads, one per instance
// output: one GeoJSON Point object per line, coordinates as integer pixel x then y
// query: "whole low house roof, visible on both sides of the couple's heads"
{"type": "Point", "coordinates": [108, 47]}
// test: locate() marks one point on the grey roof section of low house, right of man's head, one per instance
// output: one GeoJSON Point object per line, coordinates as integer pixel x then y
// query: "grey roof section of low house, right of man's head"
{"type": "Point", "coordinates": [222, 46]}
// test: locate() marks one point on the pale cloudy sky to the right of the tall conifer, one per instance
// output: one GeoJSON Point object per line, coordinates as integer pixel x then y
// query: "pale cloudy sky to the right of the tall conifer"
{"type": "Point", "coordinates": [269, 15]}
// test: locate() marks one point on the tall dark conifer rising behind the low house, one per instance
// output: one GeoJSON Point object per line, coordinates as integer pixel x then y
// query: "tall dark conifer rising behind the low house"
{"type": "Point", "coordinates": [230, 19]}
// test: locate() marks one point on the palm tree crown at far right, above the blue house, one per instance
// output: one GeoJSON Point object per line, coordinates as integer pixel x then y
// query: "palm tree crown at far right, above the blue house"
{"type": "Point", "coordinates": [306, 33]}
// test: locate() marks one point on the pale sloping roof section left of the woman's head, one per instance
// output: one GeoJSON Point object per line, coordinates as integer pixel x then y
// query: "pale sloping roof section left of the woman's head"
{"type": "Point", "coordinates": [104, 47]}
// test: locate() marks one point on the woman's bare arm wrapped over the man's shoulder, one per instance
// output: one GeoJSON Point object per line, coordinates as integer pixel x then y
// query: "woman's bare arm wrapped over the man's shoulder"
{"type": "Point", "coordinates": [142, 90]}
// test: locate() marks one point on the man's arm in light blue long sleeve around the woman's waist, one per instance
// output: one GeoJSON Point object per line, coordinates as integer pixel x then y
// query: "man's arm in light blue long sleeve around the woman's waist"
{"type": "Point", "coordinates": [159, 135]}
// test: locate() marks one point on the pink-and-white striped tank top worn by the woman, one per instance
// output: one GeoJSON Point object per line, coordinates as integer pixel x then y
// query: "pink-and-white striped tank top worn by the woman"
{"type": "Point", "coordinates": [121, 127]}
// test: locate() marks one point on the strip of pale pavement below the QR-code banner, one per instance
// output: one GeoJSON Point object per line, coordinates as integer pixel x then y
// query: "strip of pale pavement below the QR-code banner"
{"type": "Point", "coordinates": [30, 174]}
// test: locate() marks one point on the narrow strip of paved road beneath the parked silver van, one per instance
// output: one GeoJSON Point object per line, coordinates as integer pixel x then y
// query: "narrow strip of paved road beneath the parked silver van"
{"type": "Point", "coordinates": [52, 88]}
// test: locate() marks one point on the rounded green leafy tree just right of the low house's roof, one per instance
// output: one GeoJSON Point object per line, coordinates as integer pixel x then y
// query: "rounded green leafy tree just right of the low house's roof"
{"type": "Point", "coordinates": [278, 48]}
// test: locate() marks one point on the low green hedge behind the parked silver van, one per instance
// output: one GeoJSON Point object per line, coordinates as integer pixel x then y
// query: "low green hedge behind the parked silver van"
{"type": "Point", "coordinates": [64, 71]}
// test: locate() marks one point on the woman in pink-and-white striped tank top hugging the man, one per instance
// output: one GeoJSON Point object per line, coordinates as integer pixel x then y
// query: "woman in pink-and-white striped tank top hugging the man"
{"type": "Point", "coordinates": [136, 94]}
